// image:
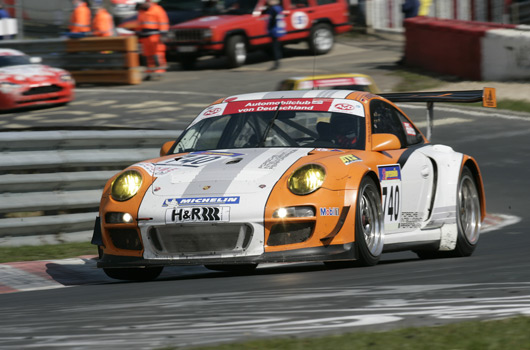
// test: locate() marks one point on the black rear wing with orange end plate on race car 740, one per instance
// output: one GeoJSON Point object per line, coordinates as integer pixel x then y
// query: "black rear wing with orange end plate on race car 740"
{"type": "Point", "coordinates": [486, 96]}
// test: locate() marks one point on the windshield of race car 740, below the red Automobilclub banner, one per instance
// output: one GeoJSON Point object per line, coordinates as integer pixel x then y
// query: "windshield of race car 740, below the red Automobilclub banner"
{"type": "Point", "coordinates": [288, 129]}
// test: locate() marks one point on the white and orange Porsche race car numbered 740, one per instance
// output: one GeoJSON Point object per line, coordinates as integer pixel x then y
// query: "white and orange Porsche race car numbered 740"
{"type": "Point", "coordinates": [289, 176]}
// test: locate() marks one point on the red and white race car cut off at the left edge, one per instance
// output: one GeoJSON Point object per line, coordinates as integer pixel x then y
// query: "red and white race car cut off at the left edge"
{"type": "Point", "coordinates": [24, 83]}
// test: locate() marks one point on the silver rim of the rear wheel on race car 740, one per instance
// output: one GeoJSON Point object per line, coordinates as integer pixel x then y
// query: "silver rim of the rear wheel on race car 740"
{"type": "Point", "coordinates": [469, 209]}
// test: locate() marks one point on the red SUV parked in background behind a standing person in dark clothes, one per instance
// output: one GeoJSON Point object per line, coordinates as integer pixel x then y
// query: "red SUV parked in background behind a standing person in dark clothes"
{"type": "Point", "coordinates": [232, 28]}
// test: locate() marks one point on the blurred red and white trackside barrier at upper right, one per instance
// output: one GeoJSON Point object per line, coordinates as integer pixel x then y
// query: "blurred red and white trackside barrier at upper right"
{"type": "Point", "coordinates": [468, 49]}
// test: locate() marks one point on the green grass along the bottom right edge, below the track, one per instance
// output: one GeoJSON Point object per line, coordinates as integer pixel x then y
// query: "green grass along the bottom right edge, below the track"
{"type": "Point", "coordinates": [504, 334]}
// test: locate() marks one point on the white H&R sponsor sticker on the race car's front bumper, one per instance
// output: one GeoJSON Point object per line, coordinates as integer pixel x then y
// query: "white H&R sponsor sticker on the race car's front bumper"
{"type": "Point", "coordinates": [198, 214]}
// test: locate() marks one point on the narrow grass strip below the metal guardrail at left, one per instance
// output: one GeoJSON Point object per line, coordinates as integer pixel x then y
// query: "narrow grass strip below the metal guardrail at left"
{"type": "Point", "coordinates": [46, 252]}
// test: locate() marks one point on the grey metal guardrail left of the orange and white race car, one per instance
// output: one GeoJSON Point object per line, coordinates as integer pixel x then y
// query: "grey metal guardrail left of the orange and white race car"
{"type": "Point", "coordinates": [51, 181]}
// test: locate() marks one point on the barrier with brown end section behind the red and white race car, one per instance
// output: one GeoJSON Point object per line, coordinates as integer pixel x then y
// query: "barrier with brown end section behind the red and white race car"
{"type": "Point", "coordinates": [108, 60]}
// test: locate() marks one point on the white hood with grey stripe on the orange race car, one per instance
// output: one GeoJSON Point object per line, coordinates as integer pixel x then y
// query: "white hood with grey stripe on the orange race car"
{"type": "Point", "coordinates": [224, 172]}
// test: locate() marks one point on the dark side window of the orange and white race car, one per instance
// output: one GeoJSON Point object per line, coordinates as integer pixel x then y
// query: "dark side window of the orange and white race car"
{"type": "Point", "coordinates": [385, 120]}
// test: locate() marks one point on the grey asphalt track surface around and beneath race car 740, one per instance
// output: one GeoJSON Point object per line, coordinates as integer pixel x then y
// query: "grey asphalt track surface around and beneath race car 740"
{"type": "Point", "coordinates": [193, 306]}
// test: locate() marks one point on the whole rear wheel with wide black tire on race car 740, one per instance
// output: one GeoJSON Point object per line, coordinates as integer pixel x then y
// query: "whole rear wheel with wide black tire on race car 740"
{"type": "Point", "coordinates": [468, 219]}
